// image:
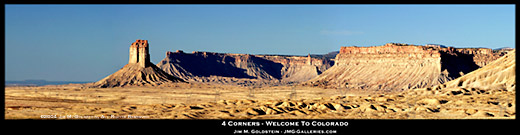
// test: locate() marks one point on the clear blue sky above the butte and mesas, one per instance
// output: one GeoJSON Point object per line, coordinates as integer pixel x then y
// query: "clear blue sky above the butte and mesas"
{"type": "Point", "coordinates": [89, 42]}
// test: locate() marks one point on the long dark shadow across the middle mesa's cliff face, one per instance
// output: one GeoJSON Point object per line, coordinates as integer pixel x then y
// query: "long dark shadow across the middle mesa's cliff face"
{"type": "Point", "coordinates": [214, 64]}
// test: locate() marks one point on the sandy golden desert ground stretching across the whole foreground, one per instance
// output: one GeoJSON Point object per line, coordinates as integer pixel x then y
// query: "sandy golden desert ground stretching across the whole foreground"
{"type": "Point", "coordinates": [202, 101]}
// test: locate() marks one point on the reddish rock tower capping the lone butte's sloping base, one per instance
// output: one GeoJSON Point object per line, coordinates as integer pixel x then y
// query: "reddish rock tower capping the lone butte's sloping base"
{"type": "Point", "coordinates": [139, 53]}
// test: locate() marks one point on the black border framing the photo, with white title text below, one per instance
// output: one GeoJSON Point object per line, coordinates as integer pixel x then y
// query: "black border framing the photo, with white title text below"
{"type": "Point", "coordinates": [365, 126]}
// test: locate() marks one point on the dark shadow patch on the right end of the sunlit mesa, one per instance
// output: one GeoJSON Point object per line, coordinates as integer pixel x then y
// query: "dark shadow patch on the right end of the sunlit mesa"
{"type": "Point", "coordinates": [457, 63]}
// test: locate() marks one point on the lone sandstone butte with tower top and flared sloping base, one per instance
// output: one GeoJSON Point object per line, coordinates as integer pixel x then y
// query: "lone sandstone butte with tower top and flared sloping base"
{"type": "Point", "coordinates": [138, 72]}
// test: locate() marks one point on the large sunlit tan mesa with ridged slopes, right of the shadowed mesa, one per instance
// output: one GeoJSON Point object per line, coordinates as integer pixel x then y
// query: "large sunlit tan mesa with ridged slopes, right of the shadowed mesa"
{"type": "Point", "coordinates": [394, 67]}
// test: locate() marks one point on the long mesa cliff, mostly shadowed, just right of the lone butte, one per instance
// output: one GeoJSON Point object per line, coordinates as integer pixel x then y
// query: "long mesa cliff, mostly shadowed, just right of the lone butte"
{"type": "Point", "coordinates": [242, 69]}
